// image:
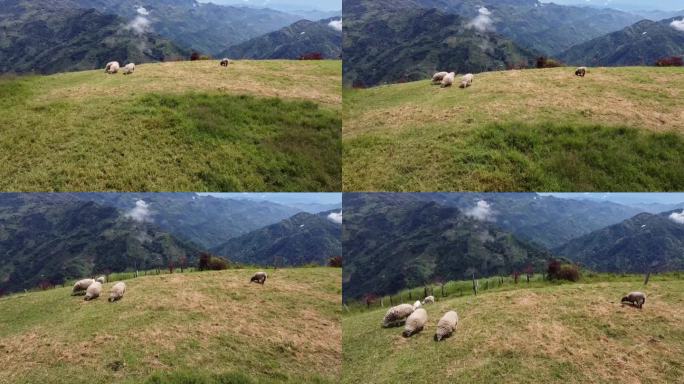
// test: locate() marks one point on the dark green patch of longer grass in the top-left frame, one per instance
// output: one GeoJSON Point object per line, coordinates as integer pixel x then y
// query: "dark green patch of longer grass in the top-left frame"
{"type": "Point", "coordinates": [278, 145]}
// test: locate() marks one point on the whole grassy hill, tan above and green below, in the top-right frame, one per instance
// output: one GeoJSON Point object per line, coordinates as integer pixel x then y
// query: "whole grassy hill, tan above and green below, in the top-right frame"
{"type": "Point", "coordinates": [617, 129]}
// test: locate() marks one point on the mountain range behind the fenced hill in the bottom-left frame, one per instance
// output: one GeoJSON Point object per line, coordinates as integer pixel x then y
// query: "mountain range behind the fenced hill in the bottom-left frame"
{"type": "Point", "coordinates": [57, 236]}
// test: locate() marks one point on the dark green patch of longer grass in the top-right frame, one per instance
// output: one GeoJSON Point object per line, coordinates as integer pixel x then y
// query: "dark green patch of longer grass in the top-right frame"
{"type": "Point", "coordinates": [520, 157]}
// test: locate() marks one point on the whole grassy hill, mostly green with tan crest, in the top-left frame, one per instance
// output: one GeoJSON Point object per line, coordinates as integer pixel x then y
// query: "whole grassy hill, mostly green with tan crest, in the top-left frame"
{"type": "Point", "coordinates": [183, 126]}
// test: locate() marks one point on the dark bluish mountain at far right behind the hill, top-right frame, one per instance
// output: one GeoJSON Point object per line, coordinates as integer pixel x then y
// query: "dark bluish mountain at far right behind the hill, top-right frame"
{"type": "Point", "coordinates": [643, 43]}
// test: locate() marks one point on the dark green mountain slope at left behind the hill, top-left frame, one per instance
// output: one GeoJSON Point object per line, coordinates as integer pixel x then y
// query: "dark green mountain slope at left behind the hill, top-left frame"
{"type": "Point", "coordinates": [47, 38]}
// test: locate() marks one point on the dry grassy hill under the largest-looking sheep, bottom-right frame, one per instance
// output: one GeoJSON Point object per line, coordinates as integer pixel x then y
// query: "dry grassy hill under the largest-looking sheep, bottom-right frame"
{"type": "Point", "coordinates": [573, 333]}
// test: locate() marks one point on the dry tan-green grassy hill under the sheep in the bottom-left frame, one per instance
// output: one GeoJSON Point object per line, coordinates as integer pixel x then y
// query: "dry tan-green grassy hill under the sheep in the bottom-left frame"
{"type": "Point", "coordinates": [195, 327]}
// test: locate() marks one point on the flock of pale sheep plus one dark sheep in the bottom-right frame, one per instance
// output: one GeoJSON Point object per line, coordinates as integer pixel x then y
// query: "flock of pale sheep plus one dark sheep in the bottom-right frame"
{"type": "Point", "coordinates": [414, 317]}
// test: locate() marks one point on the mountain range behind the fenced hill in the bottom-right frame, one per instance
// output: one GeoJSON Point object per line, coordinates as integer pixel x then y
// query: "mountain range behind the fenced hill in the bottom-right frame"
{"type": "Point", "coordinates": [395, 241]}
